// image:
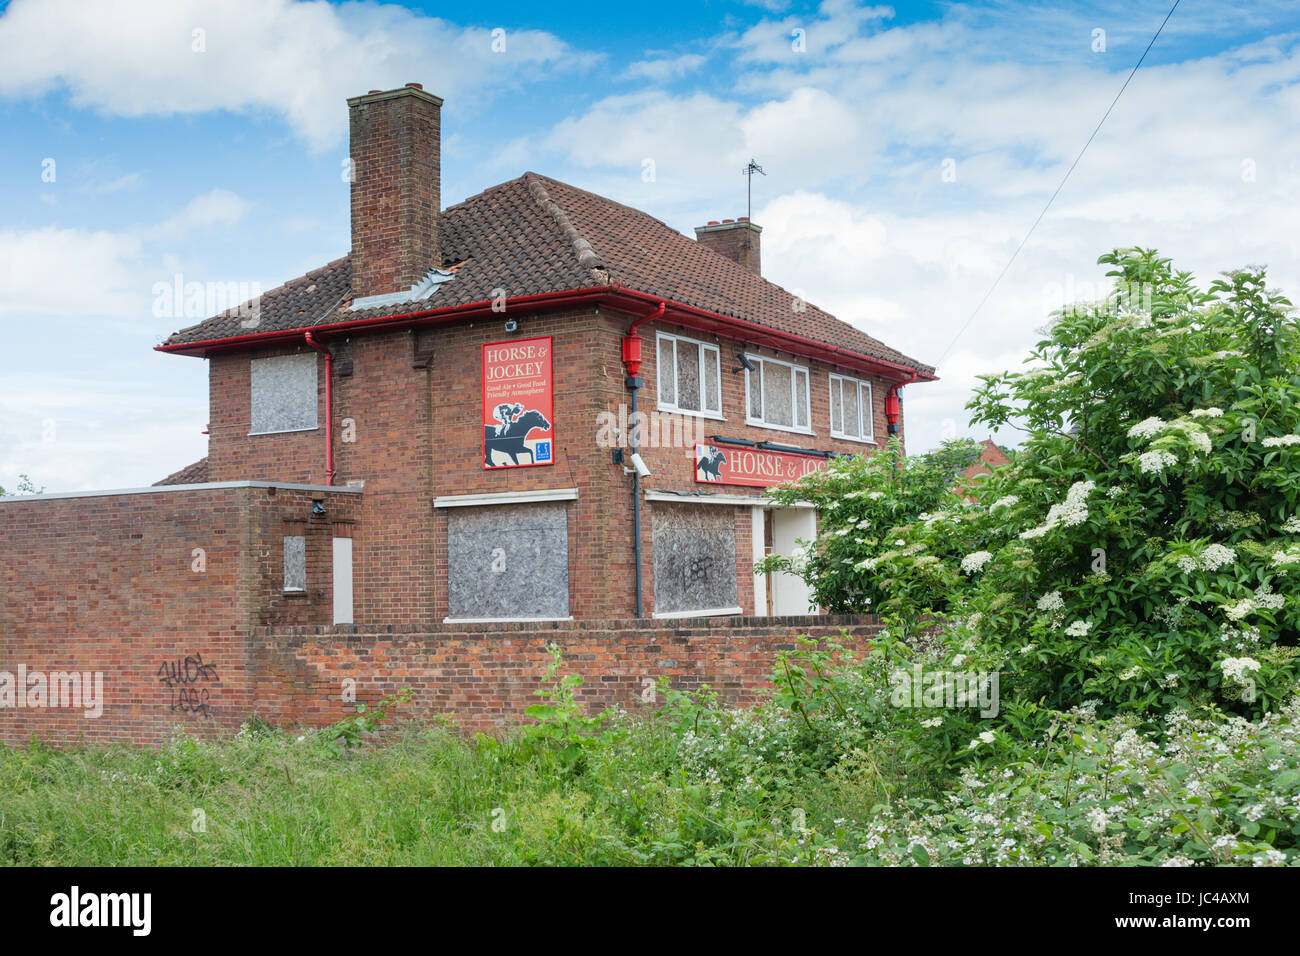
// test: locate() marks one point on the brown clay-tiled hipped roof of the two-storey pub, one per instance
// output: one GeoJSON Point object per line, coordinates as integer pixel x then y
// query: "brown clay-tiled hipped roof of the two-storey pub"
{"type": "Point", "coordinates": [536, 235]}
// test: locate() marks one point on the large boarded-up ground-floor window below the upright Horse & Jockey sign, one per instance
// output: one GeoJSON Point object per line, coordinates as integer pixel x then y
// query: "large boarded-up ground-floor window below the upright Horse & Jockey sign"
{"type": "Point", "coordinates": [508, 561]}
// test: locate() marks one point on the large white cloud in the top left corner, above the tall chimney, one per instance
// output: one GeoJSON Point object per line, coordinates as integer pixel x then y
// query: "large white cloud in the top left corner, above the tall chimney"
{"type": "Point", "coordinates": [298, 60]}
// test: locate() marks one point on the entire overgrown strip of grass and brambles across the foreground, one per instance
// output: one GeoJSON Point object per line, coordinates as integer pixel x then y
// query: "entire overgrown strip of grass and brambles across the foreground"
{"type": "Point", "coordinates": [829, 772]}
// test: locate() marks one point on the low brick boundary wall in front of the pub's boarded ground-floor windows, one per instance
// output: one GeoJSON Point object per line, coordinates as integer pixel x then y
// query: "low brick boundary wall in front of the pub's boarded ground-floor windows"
{"type": "Point", "coordinates": [483, 677]}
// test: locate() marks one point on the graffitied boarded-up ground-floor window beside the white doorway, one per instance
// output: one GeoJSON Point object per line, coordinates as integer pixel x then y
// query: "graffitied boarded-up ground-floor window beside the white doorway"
{"type": "Point", "coordinates": [695, 559]}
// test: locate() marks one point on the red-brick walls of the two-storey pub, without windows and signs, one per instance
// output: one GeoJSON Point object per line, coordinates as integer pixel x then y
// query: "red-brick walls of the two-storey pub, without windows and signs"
{"type": "Point", "coordinates": [415, 427]}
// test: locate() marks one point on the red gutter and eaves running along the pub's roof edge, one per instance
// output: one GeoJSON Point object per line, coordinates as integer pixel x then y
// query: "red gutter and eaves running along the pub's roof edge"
{"type": "Point", "coordinates": [617, 297]}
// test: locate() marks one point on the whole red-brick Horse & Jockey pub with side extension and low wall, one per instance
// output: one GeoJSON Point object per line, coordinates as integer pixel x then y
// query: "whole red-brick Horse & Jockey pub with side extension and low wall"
{"type": "Point", "coordinates": [534, 416]}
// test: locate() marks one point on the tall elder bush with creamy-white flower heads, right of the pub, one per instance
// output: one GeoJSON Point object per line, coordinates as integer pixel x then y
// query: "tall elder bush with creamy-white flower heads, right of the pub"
{"type": "Point", "coordinates": [1147, 529]}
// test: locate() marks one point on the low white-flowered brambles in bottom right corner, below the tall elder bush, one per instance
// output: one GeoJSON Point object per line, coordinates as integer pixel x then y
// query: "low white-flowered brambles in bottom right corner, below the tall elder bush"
{"type": "Point", "coordinates": [1202, 793]}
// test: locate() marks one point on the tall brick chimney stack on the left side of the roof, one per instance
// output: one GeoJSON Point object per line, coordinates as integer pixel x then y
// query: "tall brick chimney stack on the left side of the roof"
{"type": "Point", "coordinates": [397, 188]}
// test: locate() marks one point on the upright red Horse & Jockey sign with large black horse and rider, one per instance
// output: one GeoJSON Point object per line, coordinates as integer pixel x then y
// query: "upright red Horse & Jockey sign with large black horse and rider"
{"type": "Point", "coordinates": [519, 395]}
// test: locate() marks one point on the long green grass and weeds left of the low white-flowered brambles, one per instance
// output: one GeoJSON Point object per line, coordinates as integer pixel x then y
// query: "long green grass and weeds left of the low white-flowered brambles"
{"type": "Point", "coordinates": [428, 797]}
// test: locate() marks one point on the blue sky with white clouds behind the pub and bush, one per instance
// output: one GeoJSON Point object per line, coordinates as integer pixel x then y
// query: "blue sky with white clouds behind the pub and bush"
{"type": "Point", "coordinates": [224, 165]}
